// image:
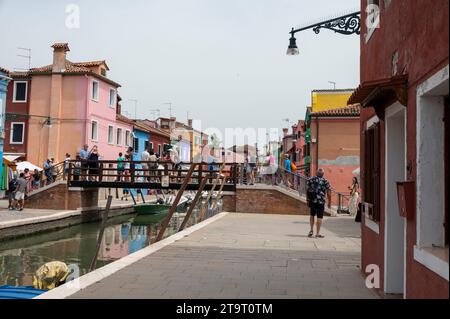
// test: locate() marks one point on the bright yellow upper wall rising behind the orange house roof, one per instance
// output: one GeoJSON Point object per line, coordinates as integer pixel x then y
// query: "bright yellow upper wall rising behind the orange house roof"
{"type": "Point", "coordinates": [325, 100]}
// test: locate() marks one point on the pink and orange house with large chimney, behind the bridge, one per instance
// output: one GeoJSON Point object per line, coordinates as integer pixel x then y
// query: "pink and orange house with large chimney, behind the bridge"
{"type": "Point", "coordinates": [72, 104]}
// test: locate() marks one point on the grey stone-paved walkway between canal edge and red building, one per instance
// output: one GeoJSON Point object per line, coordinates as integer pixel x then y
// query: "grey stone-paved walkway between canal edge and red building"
{"type": "Point", "coordinates": [247, 256]}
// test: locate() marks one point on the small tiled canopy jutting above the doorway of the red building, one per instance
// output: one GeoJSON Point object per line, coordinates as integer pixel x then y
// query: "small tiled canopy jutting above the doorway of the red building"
{"type": "Point", "coordinates": [380, 92]}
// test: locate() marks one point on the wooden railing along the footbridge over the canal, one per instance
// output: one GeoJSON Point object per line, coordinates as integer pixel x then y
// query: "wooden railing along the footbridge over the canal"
{"type": "Point", "coordinates": [140, 172]}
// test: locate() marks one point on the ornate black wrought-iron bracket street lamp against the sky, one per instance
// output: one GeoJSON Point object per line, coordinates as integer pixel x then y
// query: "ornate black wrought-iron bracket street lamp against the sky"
{"type": "Point", "coordinates": [347, 24]}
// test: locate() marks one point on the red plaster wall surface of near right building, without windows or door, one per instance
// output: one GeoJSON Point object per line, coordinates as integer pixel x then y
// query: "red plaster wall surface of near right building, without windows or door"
{"type": "Point", "coordinates": [419, 31]}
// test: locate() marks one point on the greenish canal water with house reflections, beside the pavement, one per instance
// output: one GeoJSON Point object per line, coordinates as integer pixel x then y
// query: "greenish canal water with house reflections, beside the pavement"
{"type": "Point", "coordinates": [76, 245]}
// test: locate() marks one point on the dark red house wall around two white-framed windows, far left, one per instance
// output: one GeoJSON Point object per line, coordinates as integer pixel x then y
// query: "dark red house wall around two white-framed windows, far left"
{"type": "Point", "coordinates": [18, 108]}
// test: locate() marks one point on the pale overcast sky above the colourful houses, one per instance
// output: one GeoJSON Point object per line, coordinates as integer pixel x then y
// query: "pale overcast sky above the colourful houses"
{"type": "Point", "coordinates": [223, 61]}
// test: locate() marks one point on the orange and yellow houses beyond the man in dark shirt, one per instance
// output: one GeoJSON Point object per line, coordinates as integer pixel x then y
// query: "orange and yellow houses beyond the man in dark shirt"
{"type": "Point", "coordinates": [327, 138]}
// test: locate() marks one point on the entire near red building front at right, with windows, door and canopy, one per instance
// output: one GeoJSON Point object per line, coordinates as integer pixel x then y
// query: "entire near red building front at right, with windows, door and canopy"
{"type": "Point", "coordinates": [405, 138]}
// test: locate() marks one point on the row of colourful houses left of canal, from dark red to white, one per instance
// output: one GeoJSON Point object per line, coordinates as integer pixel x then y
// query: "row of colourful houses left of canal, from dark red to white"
{"type": "Point", "coordinates": [56, 109]}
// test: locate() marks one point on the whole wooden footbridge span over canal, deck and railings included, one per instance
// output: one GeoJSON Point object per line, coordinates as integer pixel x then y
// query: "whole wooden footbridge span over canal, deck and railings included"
{"type": "Point", "coordinates": [141, 175]}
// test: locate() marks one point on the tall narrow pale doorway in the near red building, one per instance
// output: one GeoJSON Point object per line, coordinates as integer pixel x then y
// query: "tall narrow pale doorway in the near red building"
{"type": "Point", "coordinates": [394, 225]}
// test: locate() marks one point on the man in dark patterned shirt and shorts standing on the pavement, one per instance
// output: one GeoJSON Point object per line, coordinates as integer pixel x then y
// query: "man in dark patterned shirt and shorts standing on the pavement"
{"type": "Point", "coordinates": [318, 186]}
